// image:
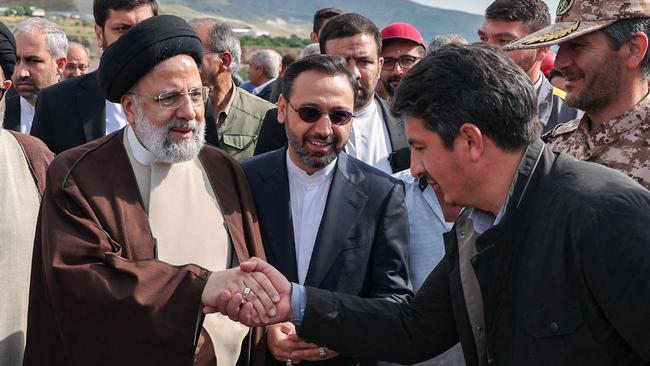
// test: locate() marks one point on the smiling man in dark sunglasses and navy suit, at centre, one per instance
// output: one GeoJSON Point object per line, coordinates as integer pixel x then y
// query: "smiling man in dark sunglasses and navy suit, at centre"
{"type": "Point", "coordinates": [328, 220]}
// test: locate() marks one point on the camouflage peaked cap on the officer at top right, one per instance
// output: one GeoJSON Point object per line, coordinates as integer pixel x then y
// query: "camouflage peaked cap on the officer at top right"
{"type": "Point", "coordinates": [575, 18]}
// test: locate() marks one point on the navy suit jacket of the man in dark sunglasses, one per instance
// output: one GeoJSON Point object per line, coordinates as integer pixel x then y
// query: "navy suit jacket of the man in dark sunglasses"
{"type": "Point", "coordinates": [362, 243]}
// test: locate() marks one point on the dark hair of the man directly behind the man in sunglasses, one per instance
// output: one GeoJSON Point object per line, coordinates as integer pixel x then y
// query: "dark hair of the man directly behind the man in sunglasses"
{"type": "Point", "coordinates": [348, 25]}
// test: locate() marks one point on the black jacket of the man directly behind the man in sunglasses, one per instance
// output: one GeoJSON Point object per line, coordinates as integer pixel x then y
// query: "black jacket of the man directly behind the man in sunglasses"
{"type": "Point", "coordinates": [272, 136]}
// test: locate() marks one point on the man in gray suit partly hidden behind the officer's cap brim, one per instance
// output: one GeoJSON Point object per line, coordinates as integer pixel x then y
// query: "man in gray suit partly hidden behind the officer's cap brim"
{"type": "Point", "coordinates": [507, 20]}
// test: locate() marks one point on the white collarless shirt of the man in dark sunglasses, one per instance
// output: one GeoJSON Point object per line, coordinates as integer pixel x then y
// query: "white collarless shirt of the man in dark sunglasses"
{"type": "Point", "coordinates": [308, 196]}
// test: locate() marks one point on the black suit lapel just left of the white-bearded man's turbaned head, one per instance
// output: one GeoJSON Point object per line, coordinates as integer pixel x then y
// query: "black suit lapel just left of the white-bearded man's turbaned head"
{"type": "Point", "coordinates": [91, 108]}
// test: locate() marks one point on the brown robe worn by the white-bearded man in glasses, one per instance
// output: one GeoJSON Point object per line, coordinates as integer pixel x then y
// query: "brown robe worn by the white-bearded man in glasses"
{"type": "Point", "coordinates": [98, 295]}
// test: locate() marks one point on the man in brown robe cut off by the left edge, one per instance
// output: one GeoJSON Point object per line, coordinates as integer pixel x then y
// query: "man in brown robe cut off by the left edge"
{"type": "Point", "coordinates": [24, 160]}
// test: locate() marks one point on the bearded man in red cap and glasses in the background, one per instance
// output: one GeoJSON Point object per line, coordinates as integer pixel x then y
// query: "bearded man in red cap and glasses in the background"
{"type": "Point", "coordinates": [402, 47]}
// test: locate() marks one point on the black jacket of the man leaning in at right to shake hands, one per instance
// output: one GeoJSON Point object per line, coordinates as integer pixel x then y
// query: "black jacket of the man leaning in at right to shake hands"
{"type": "Point", "coordinates": [563, 279]}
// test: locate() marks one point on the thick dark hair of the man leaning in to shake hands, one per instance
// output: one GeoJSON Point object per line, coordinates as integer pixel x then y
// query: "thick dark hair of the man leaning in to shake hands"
{"type": "Point", "coordinates": [474, 83]}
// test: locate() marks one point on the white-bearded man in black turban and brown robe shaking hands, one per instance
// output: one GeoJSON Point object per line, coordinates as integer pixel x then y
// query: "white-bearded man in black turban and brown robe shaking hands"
{"type": "Point", "coordinates": [143, 224]}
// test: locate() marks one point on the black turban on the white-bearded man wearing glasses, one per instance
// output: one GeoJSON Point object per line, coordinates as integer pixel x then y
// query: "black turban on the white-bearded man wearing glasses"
{"type": "Point", "coordinates": [142, 48]}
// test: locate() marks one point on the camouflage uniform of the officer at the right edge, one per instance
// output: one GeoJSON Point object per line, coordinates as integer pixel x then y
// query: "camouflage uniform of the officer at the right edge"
{"type": "Point", "coordinates": [622, 143]}
